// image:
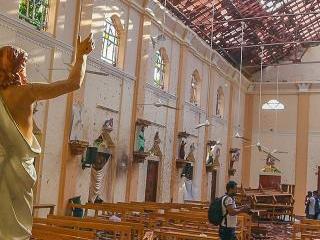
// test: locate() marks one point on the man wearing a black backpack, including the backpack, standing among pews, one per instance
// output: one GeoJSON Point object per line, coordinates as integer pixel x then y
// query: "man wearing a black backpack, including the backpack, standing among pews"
{"type": "Point", "coordinates": [223, 212]}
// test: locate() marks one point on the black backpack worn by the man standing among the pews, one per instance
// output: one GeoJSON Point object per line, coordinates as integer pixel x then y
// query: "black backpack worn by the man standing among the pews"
{"type": "Point", "coordinates": [215, 213]}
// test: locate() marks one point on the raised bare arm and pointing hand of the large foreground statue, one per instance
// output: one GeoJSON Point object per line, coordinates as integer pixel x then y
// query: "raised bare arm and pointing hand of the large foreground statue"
{"type": "Point", "coordinates": [43, 91]}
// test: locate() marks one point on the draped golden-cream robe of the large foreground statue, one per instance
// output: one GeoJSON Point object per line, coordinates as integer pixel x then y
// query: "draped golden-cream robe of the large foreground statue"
{"type": "Point", "coordinates": [17, 178]}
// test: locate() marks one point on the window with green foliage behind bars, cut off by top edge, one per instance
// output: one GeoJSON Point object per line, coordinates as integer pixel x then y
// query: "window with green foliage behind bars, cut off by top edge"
{"type": "Point", "coordinates": [35, 12]}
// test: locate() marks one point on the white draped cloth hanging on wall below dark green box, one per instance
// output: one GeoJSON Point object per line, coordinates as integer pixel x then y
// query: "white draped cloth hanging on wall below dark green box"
{"type": "Point", "coordinates": [96, 184]}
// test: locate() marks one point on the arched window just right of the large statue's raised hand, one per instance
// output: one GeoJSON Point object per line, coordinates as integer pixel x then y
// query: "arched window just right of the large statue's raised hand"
{"type": "Point", "coordinates": [110, 48]}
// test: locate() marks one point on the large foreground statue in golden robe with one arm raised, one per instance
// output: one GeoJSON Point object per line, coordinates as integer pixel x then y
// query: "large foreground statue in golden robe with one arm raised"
{"type": "Point", "coordinates": [17, 95]}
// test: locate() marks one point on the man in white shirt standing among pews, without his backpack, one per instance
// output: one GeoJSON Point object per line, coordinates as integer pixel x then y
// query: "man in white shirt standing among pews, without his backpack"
{"type": "Point", "coordinates": [227, 230]}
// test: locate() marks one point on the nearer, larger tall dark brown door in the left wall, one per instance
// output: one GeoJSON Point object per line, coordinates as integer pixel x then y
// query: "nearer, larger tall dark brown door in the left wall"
{"type": "Point", "coordinates": [152, 181]}
